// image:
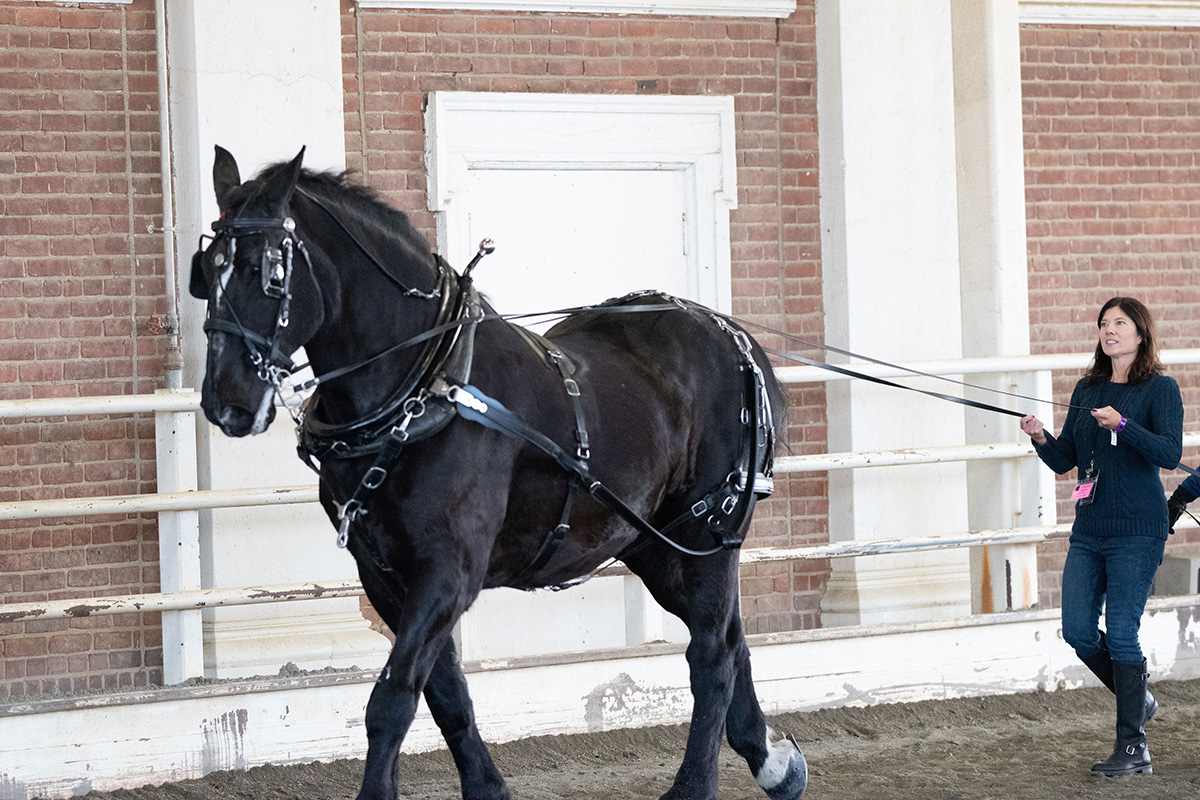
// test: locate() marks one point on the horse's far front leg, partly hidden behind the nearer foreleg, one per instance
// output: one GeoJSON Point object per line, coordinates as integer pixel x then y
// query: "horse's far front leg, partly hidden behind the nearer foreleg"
{"type": "Point", "coordinates": [446, 693]}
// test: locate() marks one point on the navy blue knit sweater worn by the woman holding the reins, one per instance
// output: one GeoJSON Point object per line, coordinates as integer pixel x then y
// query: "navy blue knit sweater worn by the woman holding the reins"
{"type": "Point", "coordinates": [1129, 497]}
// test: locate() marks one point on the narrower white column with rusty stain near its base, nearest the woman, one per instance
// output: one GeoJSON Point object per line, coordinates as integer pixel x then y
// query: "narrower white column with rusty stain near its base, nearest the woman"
{"type": "Point", "coordinates": [995, 287]}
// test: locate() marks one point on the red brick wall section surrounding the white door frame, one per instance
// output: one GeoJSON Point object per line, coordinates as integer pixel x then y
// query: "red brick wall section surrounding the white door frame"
{"type": "Point", "coordinates": [771, 71]}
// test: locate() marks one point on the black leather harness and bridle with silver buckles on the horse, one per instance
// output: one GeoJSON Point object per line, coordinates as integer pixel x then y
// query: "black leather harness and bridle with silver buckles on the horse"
{"type": "Point", "coordinates": [437, 389]}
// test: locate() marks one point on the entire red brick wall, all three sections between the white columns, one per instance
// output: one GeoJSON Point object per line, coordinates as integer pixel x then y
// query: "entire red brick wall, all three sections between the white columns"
{"type": "Point", "coordinates": [1112, 203]}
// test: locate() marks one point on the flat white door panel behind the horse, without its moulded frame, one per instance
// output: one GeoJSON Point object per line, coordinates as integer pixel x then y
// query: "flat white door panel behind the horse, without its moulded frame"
{"type": "Point", "coordinates": [571, 238]}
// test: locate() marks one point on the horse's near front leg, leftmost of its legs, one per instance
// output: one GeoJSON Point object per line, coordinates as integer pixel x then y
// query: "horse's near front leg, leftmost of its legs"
{"type": "Point", "coordinates": [433, 605]}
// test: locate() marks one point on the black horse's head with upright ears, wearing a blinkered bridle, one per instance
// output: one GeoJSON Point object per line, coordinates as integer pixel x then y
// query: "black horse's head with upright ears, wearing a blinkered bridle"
{"type": "Point", "coordinates": [265, 302]}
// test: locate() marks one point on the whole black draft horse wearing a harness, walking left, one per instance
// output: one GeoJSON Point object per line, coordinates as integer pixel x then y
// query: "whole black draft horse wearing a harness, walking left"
{"type": "Point", "coordinates": [628, 418]}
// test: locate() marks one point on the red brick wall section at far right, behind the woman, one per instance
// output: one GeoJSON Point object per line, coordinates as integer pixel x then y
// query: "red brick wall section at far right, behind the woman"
{"type": "Point", "coordinates": [1113, 200]}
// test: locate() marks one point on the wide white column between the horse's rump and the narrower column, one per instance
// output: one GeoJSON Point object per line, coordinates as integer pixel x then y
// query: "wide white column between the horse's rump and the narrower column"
{"type": "Point", "coordinates": [892, 291]}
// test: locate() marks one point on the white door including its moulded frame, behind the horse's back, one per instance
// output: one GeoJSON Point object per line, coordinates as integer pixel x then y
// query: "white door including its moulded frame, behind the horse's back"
{"type": "Point", "coordinates": [586, 199]}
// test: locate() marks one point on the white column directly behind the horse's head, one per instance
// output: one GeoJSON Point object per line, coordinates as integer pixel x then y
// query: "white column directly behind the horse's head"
{"type": "Point", "coordinates": [261, 80]}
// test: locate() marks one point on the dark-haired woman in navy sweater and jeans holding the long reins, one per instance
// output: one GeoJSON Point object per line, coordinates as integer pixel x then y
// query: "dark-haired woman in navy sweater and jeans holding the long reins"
{"type": "Point", "coordinates": [1135, 429]}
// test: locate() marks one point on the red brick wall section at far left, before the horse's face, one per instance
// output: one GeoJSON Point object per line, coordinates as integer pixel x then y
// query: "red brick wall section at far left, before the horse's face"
{"type": "Point", "coordinates": [81, 298]}
